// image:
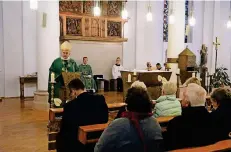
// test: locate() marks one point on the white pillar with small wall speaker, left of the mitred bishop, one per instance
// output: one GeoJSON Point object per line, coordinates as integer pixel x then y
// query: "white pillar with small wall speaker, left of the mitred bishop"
{"type": "Point", "coordinates": [47, 48]}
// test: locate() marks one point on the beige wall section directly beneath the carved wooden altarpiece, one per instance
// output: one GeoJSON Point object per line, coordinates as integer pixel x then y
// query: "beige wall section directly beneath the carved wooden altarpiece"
{"type": "Point", "coordinates": [101, 56]}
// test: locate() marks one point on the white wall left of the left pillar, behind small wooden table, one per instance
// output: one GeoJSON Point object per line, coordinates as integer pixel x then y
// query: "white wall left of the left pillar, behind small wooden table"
{"type": "Point", "coordinates": [18, 50]}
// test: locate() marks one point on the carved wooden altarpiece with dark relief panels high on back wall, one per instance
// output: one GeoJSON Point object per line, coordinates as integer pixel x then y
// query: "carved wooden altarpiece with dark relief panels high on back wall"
{"type": "Point", "coordinates": [77, 21]}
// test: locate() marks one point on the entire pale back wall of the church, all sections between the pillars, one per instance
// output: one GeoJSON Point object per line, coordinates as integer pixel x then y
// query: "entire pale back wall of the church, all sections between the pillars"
{"type": "Point", "coordinates": [145, 41]}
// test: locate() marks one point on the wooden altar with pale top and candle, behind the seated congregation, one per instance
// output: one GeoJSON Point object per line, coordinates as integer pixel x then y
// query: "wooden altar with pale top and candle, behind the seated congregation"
{"type": "Point", "coordinates": [150, 79]}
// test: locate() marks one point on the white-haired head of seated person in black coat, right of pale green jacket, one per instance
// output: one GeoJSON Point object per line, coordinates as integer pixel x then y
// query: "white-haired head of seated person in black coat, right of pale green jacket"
{"type": "Point", "coordinates": [195, 95]}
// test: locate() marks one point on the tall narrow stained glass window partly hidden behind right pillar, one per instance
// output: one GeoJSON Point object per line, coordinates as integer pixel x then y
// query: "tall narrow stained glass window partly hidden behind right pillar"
{"type": "Point", "coordinates": [165, 22]}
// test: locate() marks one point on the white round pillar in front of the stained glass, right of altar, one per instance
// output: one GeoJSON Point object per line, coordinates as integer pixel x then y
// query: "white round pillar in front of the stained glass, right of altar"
{"type": "Point", "coordinates": [176, 34]}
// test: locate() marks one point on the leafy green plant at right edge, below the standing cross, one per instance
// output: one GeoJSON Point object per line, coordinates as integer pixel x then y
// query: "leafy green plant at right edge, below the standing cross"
{"type": "Point", "coordinates": [220, 78]}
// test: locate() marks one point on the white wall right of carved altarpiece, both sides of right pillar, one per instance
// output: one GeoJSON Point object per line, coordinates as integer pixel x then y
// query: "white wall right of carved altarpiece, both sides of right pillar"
{"type": "Point", "coordinates": [148, 45]}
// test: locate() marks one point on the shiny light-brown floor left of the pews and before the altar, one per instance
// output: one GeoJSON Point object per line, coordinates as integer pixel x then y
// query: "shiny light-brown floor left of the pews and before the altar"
{"type": "Point", "coordinates": [24, 129]}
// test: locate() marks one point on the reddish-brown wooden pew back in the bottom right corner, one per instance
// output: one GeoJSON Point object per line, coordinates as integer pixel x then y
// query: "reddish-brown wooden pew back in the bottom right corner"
{"type": "Point", "coordinates": [224, 145]}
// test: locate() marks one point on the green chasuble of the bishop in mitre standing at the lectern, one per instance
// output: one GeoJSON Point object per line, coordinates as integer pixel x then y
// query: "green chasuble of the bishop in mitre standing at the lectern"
{"type": "Point", "coordinates": [58, 66]}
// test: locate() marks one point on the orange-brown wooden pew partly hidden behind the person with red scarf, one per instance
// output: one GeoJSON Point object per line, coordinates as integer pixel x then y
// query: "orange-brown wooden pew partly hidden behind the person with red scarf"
{"type": "Point", "coordinates": [91, 133]}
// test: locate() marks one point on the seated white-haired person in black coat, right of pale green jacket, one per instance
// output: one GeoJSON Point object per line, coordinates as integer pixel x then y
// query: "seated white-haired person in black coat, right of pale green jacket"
{"type": "Point", "coordinates": [193, 127]}
